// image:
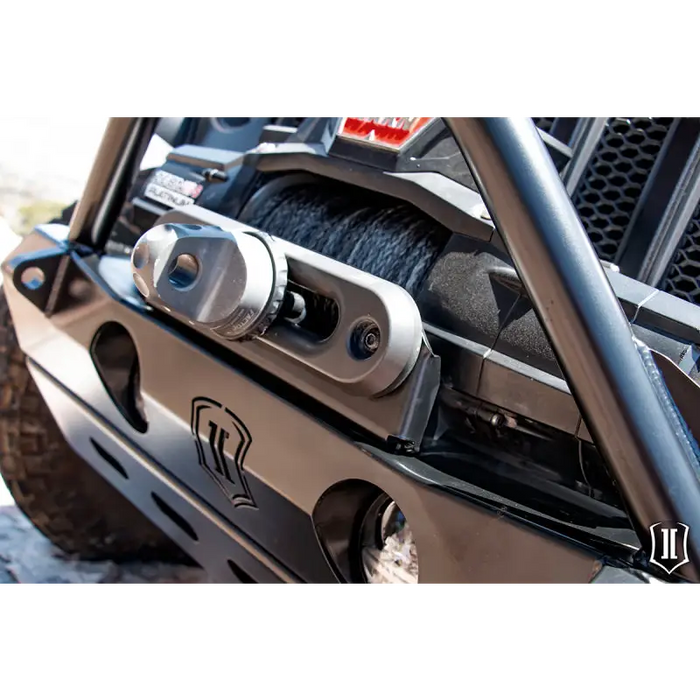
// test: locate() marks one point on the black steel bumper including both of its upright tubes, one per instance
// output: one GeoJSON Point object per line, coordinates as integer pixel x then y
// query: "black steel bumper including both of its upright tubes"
{"type": "Point", "coordinates": [295, 461]}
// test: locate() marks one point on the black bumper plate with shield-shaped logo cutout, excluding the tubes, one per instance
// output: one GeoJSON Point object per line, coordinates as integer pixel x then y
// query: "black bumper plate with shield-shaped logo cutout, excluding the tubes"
{"type": "Point", "coordinates": [294, 462]}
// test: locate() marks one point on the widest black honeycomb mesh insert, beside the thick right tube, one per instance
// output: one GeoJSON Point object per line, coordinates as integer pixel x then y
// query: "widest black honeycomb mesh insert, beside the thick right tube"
{"type": "Point", "coordinates": [612, 185]}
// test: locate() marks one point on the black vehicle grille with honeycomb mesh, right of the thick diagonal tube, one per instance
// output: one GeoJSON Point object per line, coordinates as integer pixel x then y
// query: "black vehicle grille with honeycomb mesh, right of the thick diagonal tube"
{"type": "Point", "coordinates": [635, 182]}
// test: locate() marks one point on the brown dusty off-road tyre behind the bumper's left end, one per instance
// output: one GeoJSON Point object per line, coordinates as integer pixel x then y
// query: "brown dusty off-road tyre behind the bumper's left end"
{"type": "Point", "coordinates": [64, 498]}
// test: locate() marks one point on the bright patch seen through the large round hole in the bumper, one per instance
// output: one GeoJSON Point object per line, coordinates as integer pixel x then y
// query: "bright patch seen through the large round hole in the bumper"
{"type": "Point", "coordinates": [388, 549]}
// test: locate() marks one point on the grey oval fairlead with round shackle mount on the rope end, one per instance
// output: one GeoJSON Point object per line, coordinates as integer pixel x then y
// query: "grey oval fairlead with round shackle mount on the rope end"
{"type": "Point", "coordinates": [233, 282]}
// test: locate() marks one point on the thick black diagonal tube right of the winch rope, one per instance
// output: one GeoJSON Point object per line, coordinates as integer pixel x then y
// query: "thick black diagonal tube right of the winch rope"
{"type": "Point", "coordinates": [559, 269]}
